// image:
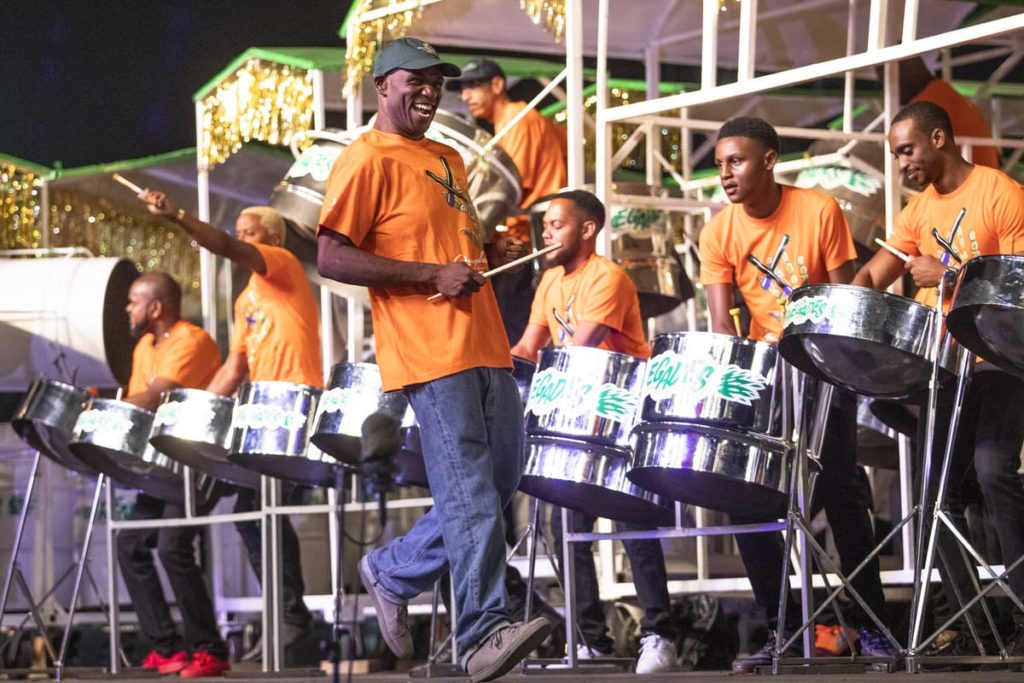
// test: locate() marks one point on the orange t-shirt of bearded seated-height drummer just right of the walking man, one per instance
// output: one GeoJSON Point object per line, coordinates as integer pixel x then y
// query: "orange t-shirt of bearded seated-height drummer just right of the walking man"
{"type": "Point", "coordinates": [600, 291]}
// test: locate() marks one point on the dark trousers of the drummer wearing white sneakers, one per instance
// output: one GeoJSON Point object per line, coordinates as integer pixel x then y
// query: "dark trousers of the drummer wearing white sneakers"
{"type": "Point", "coordinates": [650, 577]}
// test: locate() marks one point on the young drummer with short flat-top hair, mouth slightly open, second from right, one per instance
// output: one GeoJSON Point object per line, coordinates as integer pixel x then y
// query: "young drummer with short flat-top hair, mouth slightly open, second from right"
{"type": "Point", "coordinates": [770, 241]}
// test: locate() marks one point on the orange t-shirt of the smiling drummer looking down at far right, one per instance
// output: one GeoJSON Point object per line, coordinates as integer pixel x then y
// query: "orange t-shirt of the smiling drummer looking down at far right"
{"type": "Point", "coordinates": [994, 223]}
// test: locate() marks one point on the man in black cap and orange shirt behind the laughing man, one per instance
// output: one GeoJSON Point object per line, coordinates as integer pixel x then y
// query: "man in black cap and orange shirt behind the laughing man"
{"type": "Point", "coordinates": [538, 149]}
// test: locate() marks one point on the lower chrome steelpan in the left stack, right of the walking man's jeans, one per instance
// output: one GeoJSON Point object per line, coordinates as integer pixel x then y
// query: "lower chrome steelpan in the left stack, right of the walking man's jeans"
{"type": "Point", "coordinates": [590, 479]}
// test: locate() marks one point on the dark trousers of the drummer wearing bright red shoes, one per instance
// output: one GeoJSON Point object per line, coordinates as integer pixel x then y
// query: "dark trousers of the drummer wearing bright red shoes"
{"type": "Point", "coordinates": [178, 554]}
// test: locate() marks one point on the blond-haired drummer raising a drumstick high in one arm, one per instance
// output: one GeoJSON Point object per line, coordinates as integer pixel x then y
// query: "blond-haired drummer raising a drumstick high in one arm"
{"type": "Point", "coordinates": [276, 339]}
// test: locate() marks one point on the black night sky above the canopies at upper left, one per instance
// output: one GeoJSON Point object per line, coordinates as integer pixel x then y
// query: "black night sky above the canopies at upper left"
{"type": "Point", "coordinates": [89, 82]}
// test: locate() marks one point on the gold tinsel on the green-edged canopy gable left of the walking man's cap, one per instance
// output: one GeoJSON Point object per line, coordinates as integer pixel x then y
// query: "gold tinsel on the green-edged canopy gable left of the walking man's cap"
{"type": "Point", "coordinates": [263, 102]}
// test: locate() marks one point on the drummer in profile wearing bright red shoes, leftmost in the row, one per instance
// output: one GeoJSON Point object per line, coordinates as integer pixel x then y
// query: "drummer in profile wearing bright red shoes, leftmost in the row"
{"type": "Point", "coordinates": [172, 353]}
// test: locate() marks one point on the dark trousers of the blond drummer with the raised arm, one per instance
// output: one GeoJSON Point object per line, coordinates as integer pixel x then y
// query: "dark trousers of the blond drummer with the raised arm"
{"type": "Point", "coordinates": [295, 612]}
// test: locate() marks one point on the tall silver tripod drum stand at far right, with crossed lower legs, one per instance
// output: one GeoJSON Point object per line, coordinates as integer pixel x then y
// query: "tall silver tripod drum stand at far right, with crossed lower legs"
{"type": "Point", "coordinates": [934, 517]}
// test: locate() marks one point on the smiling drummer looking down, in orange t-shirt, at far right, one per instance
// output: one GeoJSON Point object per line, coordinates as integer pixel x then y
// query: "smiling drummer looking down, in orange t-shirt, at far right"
{"type": "Point", "coordinates": [964, 211]}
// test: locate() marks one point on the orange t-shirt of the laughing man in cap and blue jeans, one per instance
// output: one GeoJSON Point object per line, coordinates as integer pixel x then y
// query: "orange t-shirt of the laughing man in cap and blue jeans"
{"type": "Point", "coordinates": [406, 200]}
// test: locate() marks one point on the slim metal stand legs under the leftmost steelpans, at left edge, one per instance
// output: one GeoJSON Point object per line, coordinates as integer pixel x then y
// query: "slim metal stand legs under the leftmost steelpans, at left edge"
{"type": "Point", "coordinates": [80, 567]}
